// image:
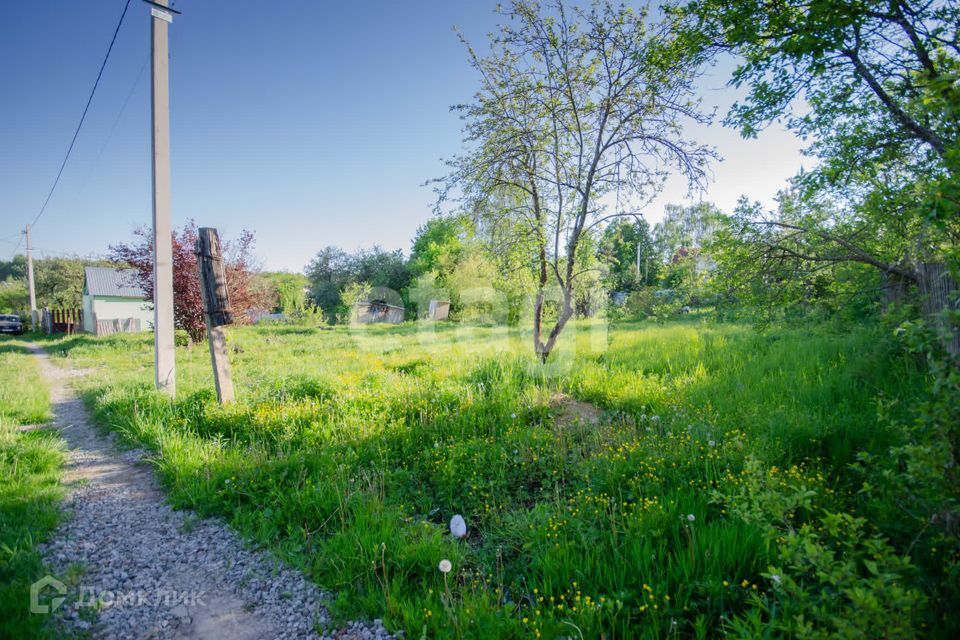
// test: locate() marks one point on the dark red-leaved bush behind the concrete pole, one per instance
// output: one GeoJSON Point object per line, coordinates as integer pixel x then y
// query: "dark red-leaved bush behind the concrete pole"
{"type": "Point", "coordinates": [187, 303]}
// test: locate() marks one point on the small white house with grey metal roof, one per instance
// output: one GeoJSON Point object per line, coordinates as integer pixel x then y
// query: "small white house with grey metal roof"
{"type": "Point", "coordinates": [114, 301]}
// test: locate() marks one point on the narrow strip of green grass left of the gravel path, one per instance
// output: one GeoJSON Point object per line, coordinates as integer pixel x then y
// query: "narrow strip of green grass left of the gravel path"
{"type": "Point", "coordinates": [29, 488]}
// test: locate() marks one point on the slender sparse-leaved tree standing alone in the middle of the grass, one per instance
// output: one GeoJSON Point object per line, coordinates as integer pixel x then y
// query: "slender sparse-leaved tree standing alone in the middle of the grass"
{"type": "Point", "coordinates": [576, 109]}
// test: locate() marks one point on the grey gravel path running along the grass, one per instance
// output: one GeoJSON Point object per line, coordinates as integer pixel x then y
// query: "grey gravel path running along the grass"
{"type": "Point", "coordinates": [135, 568]}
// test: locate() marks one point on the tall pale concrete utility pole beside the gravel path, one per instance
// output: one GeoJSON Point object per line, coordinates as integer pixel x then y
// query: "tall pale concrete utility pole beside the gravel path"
{"type": "Point", "coordinates": [165, 367]}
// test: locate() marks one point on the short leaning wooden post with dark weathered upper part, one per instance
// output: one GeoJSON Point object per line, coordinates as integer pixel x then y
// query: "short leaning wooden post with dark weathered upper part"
{"type": "Point", "coordinates": [216, 308]}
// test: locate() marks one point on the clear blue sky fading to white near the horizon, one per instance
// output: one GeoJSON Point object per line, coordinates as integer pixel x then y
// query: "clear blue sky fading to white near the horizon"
{"type": "Point", "coordinates": [309, 122]}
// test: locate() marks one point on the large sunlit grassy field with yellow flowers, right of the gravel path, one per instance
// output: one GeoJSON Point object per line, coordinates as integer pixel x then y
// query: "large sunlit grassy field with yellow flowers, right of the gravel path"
{"type": "Point", "coordinates": [686, 479]}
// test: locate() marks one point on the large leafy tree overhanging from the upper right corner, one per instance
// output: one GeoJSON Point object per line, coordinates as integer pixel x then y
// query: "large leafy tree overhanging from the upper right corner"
{"type": "Point", "coordinates": [880, 80]}
